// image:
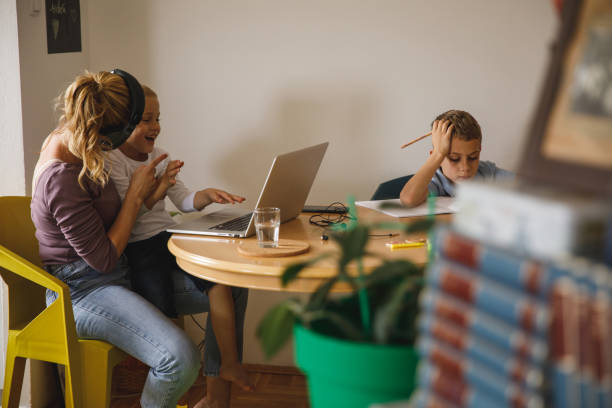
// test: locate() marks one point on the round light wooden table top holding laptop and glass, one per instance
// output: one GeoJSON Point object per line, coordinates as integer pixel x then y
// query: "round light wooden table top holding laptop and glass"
{"type": "Point", "coordinates": [218, 260]}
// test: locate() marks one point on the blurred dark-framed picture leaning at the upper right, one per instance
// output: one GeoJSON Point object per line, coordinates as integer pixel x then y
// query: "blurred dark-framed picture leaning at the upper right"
{"type": "Point", "coordinates": [570, 142]}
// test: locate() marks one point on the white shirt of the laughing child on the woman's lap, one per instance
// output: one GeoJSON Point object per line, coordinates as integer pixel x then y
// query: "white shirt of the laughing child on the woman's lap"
{"type": "Point", "coordinates": [149, 222]}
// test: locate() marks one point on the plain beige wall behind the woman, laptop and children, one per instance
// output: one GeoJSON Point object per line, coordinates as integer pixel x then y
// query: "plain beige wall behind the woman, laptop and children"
{"type": "Point", "coordinates": [240, 81]}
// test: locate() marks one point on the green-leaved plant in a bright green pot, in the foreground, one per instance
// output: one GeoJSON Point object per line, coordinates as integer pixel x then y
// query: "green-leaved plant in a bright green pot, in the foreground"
{"type": "Point", "coordinates": [359, 348]}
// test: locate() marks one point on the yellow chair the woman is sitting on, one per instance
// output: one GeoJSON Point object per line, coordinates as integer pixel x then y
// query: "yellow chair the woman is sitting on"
{"type": "Point", "coordinates": [45, 333]}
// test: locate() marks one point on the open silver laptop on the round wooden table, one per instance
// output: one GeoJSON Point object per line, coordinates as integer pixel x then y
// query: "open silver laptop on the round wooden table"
{"type": "Point", "coordinates": [287, 186]}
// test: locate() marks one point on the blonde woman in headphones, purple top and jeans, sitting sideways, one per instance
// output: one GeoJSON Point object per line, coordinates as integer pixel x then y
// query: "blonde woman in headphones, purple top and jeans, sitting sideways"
{"type": "Point", "coordinates": [83, 227]}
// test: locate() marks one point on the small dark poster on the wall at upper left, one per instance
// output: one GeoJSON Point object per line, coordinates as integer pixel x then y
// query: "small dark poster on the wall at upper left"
{"type": "Point", "coordinates": [63, 26]}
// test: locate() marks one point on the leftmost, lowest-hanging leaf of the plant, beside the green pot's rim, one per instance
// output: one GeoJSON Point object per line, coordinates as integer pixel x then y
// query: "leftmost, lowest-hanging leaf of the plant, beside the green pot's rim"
{"type": "Point", "coordinates": [277, 325]}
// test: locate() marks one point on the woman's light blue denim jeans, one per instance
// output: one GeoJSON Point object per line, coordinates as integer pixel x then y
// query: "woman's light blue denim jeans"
{"type": "Point", "coordinates": [105, 308]}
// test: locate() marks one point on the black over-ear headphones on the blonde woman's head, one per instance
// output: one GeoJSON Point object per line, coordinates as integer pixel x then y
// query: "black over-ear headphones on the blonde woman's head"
{"type": "Point", "coordinates": [115, 136]}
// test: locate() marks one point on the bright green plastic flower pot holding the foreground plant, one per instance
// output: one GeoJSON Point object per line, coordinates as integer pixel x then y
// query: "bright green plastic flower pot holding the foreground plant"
{"type": "Point", "coordinates": [348, 374]}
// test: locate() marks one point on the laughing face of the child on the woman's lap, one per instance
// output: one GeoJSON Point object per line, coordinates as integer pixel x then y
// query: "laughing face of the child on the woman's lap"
{"type": "Point", "coordinates": [142, 140]}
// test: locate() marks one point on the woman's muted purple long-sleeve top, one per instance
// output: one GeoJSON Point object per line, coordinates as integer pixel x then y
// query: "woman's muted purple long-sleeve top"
{"type": "Point", "coordinates": [71, 223]}
